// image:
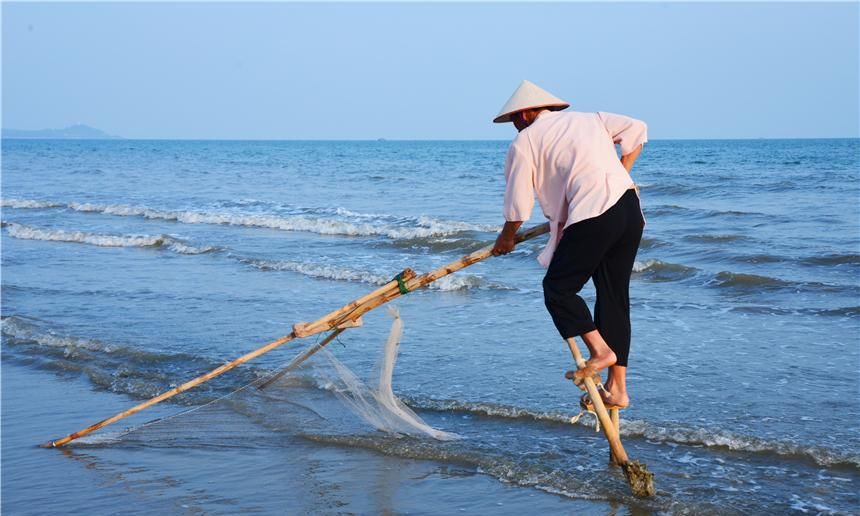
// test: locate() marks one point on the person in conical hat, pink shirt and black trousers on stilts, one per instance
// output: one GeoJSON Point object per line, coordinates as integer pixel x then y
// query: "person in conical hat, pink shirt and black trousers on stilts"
{"type": "Point", "coordinates": [569, 159]}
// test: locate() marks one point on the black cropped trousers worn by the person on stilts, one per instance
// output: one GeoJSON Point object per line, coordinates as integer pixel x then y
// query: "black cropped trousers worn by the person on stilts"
{"type": "Point", "coordinates": [602, 248]}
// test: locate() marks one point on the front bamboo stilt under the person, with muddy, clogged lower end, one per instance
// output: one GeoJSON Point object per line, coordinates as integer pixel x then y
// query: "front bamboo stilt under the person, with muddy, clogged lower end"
{"type": "Point", "coordinates": [640, 480]}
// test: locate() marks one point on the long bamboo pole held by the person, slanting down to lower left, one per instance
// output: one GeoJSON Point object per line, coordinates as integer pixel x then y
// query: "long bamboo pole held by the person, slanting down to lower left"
{"type": "Point", "coordinates": [343, 316]}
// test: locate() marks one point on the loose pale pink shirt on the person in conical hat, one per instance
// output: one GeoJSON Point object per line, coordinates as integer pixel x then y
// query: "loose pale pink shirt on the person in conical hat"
{"type": "Point", "coordinates": [569, 159]}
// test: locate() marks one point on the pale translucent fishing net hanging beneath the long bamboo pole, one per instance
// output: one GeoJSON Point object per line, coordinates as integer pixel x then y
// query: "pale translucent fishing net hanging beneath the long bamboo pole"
{"type": "Point", "coordinates": [300, 403]}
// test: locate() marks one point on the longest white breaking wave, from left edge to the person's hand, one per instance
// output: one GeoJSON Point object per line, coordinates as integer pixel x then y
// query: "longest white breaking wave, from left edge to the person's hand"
{"type": "Point", "coordinates": [305, 220]}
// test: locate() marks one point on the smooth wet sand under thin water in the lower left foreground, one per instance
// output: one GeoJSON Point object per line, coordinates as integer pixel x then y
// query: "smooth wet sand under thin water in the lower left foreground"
{"type": "Point", "coordinates": [283, 477]}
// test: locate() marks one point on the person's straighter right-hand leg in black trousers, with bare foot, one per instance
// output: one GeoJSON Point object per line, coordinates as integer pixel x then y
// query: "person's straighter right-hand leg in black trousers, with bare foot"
{"type": "Point", "coordinates": [612, 307]}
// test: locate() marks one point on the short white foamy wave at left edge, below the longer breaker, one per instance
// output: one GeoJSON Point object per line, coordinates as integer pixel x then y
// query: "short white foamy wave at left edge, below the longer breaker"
{"type": "Point", "coordinates": [25, 232]}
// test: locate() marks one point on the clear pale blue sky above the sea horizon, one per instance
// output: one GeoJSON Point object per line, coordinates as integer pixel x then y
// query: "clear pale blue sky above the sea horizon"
{"type": "Point", "coordinates": [434, 71]}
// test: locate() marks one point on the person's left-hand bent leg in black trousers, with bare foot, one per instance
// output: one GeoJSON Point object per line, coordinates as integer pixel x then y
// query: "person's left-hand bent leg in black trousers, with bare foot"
{"type": "Point", "coordinates": [575, 260]}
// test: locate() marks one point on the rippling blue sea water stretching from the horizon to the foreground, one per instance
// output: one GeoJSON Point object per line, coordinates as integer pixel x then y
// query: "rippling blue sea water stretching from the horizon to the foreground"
{"type": "Point", "coordinates": [129, 267]}
